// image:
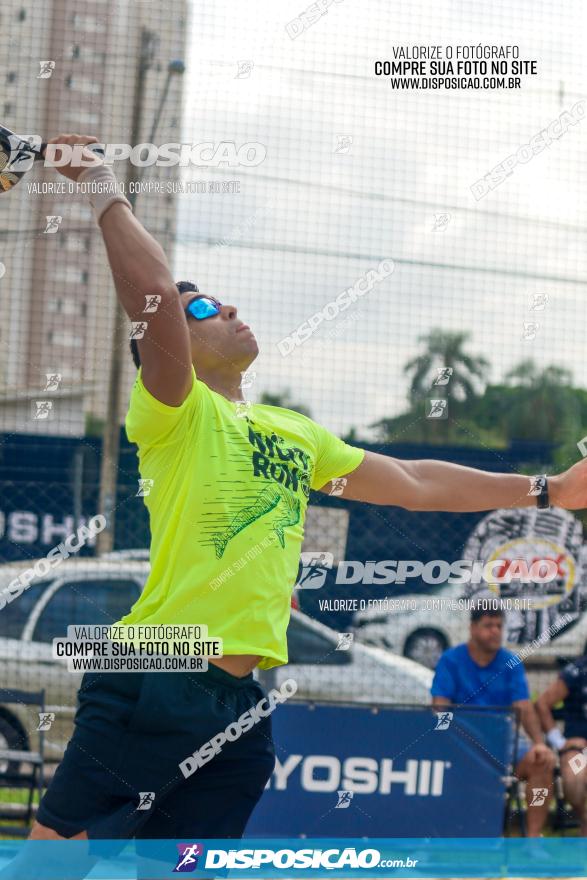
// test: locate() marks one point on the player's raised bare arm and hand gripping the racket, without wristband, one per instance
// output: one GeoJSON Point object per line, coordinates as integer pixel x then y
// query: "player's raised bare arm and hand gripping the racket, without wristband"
{"type": "Point", "coordinates": [140, 269]}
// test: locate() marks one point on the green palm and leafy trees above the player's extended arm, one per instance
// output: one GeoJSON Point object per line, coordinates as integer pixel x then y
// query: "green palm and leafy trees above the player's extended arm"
{"type": "Point", "coordinates": [528, 404]}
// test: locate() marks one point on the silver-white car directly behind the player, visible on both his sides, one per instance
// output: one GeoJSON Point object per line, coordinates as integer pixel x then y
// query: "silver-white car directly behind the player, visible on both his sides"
{"type": "Point", "coordinates": [101, 591]}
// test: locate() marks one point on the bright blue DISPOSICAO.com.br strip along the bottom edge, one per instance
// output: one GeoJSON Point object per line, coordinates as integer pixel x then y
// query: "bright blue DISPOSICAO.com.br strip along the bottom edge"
{"type": "Point", "coordinates": [323, 857]}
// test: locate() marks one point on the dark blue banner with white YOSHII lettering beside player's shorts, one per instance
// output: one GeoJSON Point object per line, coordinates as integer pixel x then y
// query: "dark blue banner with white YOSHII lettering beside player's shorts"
{"type": "Point", "coordinates": [394, 773]}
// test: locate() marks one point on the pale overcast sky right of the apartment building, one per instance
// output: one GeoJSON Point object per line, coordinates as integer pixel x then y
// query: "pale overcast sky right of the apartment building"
{"type": "Point", "coordinates": [321, 218]}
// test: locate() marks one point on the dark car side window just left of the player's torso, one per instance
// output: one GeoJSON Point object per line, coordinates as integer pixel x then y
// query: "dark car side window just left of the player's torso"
{"type": "Point", "coordinates": [85, 602]}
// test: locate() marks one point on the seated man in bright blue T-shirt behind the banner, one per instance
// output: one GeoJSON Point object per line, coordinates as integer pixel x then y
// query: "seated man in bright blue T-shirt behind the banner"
{"type": "Point", "coordinates": [482, 673]}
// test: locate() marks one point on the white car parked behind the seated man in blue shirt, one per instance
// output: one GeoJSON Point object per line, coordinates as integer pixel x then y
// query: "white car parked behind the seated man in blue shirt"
{"type": "Point", "coordinates": [420, 627]}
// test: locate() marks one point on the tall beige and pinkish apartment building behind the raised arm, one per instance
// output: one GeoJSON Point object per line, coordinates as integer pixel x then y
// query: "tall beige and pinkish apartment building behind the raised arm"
{"type": "Point", "coordinates": [56, 291]}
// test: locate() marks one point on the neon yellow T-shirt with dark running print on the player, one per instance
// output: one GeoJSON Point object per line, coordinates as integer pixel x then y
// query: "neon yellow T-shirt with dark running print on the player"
{"type": "Point", "coordinates": [226, 505]}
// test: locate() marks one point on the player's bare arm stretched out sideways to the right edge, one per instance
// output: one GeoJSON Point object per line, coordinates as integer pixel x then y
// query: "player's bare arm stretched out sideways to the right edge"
{"type": "Point", "coordinates": [439, 485]}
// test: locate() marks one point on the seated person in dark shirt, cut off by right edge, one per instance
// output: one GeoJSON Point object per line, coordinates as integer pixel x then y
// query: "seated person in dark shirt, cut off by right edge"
{"type": "Point", "coordinates": [570, 688]}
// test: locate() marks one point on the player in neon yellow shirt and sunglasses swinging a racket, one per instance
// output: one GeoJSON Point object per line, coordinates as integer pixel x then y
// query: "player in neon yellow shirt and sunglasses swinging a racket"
{"type": "Point", "coordinates": [229, 487]}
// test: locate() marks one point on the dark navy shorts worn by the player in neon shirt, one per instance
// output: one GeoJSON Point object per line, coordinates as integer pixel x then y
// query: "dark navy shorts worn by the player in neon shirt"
{"type": "Point", "coordinates": [120, 775]}
